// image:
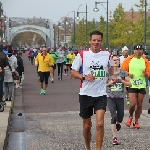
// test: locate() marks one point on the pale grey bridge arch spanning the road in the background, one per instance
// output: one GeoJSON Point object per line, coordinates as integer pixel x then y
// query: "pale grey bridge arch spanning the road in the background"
{"type": "Point", "coordinates": [43, 27]}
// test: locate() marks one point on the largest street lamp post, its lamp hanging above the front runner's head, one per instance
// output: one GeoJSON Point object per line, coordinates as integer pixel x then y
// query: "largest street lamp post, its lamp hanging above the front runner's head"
{"type": "Point", "coordinates": [96, 10]}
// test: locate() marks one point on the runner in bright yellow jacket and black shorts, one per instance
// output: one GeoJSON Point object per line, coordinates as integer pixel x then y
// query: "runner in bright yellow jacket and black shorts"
{"type": "Point", "coordinates": [44, 61]}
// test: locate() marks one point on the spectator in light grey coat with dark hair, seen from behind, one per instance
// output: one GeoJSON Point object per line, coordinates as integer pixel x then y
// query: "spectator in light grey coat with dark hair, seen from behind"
{"type": "Point", "coordinates": [8, 80]}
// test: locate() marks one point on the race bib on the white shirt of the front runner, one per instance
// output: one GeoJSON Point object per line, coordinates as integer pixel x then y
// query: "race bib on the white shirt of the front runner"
{"type": "Point", "coordinates": [98, 74]}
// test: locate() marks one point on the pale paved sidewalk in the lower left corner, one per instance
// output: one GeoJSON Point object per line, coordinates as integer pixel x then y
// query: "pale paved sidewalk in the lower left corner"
{"type": "Point", "coordinates": [4, 120]}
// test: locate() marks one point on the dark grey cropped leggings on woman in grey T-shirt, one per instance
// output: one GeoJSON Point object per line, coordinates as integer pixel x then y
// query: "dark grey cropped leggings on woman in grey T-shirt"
{"type": "Point", "coordinates": [116, 108]}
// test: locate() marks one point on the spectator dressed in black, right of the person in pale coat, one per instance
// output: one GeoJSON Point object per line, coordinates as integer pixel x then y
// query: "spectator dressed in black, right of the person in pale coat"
{"type": "Point", "coordinates": [20, 68]}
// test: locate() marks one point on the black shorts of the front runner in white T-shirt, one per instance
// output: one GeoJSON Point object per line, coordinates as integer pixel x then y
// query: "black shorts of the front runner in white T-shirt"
{"type": "Point", "coordinates": [89, 104]}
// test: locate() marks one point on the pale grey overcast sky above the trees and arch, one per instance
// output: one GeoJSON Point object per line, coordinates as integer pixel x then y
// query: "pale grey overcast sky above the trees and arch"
{"type": "Point", "coordinates": [55, 9]}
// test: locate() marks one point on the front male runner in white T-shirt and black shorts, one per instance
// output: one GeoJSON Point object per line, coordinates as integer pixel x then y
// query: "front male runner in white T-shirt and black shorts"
{"type": "Point", "coordinates": [90, 66]}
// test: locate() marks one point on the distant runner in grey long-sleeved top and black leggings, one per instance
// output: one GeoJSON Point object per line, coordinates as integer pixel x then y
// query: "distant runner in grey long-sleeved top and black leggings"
{"type": "Point", "coordinates": [60, 61]}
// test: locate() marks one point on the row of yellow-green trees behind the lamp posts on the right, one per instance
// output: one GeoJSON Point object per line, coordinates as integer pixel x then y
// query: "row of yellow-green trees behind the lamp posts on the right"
{"type": "Point", "coordinates": [121, 31]}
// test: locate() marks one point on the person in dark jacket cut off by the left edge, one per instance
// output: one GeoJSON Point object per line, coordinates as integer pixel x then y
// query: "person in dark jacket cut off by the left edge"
{"type": "Point", "coordinates": [3, 63]}
